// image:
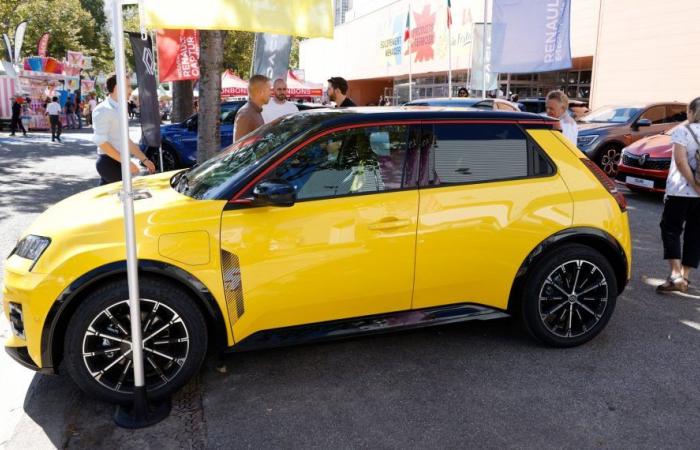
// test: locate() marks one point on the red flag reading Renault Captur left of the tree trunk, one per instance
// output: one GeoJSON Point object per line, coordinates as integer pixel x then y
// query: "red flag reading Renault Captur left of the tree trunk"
{"type": "Point", "coordinates": [178, 55]}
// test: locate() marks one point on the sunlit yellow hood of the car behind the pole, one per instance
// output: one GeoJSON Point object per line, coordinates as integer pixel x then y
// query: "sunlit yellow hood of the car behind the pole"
{"type": "Point", "coordinates": [94, 211]}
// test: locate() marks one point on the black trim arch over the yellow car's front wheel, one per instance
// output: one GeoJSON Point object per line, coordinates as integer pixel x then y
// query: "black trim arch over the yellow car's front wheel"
{"type": "Point", "coordinates": [59, 315]}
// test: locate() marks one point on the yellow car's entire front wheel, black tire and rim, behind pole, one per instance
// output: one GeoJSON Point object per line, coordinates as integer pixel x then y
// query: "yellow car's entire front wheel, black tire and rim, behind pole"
{"type": "Point", "coordinates": [184, 341]}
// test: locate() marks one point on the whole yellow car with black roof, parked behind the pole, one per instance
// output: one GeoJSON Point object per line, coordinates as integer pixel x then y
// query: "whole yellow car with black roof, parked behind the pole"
{"type": "Point", "coordinates": [324, 224]}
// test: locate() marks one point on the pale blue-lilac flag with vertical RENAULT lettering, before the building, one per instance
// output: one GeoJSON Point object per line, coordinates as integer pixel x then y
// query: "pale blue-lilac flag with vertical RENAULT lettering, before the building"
{"type": "Point", "coordinates": [531, 36]}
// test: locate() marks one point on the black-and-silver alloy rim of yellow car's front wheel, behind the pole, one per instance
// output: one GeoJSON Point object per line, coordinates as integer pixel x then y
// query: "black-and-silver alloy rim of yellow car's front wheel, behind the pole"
{"type": "Point", "coordinates": [107, 350]}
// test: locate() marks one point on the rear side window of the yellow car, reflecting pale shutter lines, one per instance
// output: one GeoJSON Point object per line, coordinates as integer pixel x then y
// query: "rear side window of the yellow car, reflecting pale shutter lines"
{"type": "Point", "coordinates": [476, 153]}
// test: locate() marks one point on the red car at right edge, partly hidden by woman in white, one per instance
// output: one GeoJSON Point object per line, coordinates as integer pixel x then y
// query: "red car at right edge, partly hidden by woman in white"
{"type": "Point", "coordinates": [645, 163]}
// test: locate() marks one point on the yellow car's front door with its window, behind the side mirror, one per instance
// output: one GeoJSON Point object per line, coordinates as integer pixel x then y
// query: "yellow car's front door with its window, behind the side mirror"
{"type": "Point", "coordinates": [346, 248]}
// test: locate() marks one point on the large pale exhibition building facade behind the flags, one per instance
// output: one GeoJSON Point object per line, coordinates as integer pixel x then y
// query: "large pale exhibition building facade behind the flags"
{"type": "Point", "coordinates": [620, 49]}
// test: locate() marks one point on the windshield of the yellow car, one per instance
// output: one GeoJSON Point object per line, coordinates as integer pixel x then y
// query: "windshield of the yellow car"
{"type": "Point", "coordinates": [209, 180]}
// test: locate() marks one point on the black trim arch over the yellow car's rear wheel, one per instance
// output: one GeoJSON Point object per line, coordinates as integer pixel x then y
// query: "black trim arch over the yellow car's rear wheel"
{"type": "Point", "coordinates": [595, 238]}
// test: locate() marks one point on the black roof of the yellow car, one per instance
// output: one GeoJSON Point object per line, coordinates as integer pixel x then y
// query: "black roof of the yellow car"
{"type": "Point", "coordinates": [342, 116]}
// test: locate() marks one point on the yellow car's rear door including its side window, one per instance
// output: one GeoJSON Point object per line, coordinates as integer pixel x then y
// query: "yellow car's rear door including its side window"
{"type": "Point", "coordinates": [489, 197]}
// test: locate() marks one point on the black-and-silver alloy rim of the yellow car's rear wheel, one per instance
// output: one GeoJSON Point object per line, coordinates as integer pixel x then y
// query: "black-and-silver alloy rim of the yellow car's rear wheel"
{"type": "Point", "coordinates": [573, 298]}
